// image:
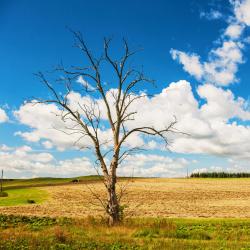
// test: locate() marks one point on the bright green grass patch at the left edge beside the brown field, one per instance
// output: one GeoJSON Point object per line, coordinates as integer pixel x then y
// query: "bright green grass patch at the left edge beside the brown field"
{"type": "Point", "coordinates": [21, 196]}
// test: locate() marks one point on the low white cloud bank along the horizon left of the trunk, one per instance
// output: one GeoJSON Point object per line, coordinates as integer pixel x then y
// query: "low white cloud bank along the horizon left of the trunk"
{"type": "Point", "coordinates": [25, 162]}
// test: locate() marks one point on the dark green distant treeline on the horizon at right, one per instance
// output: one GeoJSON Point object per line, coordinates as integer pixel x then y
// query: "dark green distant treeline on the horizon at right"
{"type": "Point", "coordinates": [219, 175]}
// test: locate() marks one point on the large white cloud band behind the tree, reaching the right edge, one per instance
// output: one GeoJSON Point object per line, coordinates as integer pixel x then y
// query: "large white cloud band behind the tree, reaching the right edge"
{"type": "Point", "coordinates": [209, 125]}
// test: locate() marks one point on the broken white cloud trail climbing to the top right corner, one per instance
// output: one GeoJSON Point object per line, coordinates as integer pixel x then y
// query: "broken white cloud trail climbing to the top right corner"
{"type": "Point", "coordinates": [222, 63]}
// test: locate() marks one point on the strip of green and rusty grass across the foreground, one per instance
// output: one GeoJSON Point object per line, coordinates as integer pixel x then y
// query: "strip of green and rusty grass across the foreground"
{"type": "Point", "coordinates": [19, 232]}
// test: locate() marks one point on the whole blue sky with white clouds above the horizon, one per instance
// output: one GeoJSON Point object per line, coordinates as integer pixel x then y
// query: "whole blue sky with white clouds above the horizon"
{"type": "Point", "coordinates": [196, 51]}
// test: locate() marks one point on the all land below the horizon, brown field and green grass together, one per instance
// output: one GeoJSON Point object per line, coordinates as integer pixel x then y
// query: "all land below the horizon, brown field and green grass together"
{"type": "Point", "coordinates": [161, 213]}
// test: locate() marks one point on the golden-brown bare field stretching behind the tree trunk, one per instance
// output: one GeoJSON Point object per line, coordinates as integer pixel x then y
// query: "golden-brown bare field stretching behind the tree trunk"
{"type": "Point", "coordinates": [190, 198]}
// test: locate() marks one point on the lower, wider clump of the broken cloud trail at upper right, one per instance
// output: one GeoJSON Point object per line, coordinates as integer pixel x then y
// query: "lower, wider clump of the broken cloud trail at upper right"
{"type": "Point", "coordinates": [221, 66]}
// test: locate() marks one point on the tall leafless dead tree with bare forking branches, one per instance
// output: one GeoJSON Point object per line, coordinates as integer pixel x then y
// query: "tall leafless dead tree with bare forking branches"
{"type": "Point", "coordinates": [87, 119]}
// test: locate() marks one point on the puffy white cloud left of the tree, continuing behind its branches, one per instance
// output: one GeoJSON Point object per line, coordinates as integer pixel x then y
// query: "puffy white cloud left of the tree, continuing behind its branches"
{"type": "Point", "coordinates": [47, 127]}
